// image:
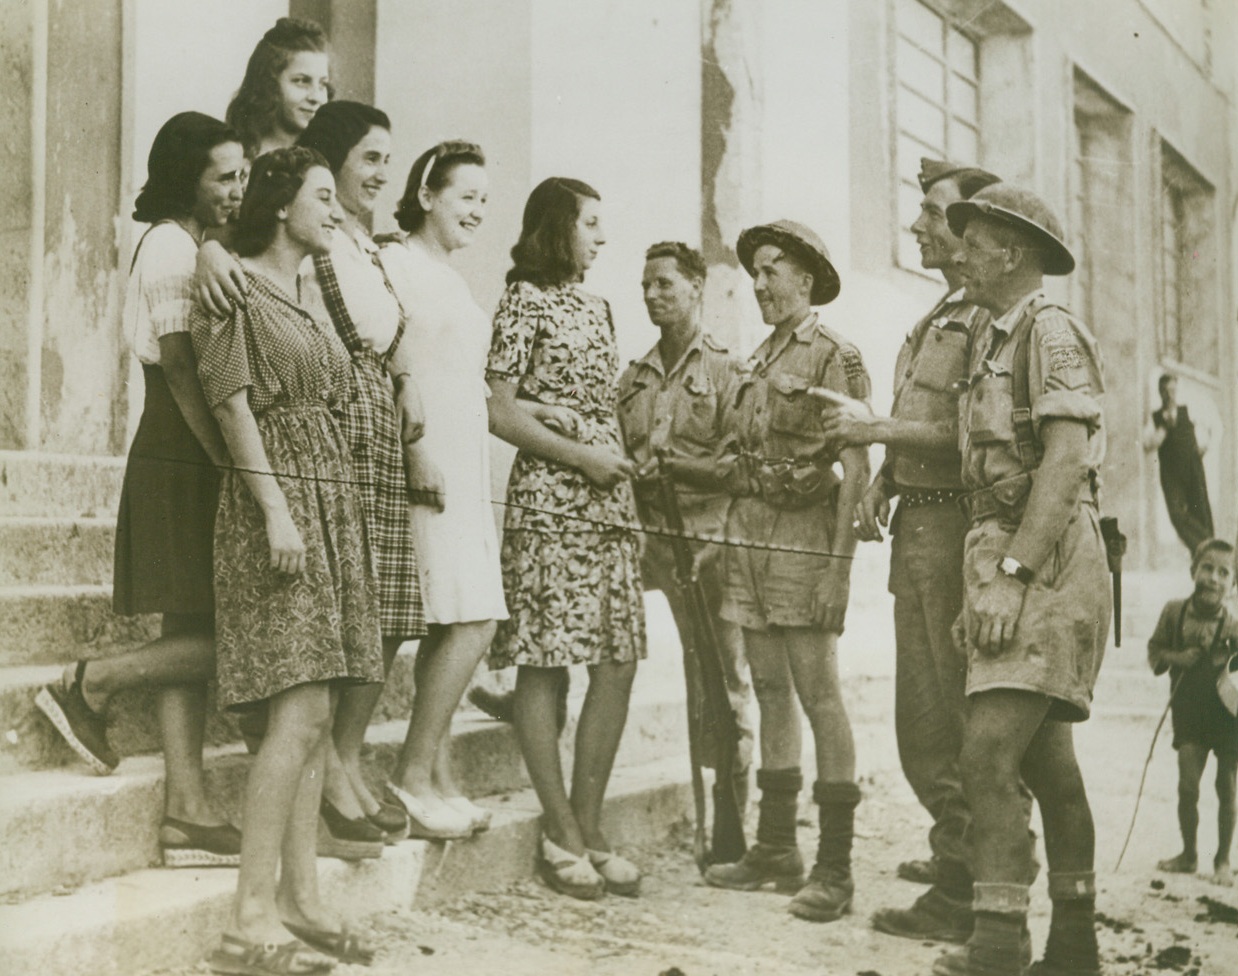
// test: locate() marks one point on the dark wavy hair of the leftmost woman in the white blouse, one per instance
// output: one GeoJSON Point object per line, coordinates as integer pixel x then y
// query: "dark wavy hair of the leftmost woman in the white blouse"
{"type": "Point", "coordinates": [180, 155]}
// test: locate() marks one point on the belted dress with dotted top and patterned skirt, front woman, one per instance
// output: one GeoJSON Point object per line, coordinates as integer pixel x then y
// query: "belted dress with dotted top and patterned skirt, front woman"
{"type": "Point", "coordinates": [273, 631]}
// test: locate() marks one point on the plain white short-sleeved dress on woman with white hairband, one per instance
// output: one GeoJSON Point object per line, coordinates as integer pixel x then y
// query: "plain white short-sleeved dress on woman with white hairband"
{"type": "Point", "coordinates": [445, 349]}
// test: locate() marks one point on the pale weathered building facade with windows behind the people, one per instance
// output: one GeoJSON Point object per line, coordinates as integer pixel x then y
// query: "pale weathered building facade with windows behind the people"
{"type": "Point", "coordinates": [694, 118]}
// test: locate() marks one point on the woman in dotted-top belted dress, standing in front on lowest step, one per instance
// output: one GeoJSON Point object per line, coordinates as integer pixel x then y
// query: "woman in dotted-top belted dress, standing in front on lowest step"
{"type": "Point", "coordinates": [297, 608]}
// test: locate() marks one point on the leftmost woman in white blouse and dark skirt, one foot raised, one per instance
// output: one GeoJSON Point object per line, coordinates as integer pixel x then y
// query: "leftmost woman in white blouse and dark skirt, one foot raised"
{"type": "Point", "coordinates": [168, 505]}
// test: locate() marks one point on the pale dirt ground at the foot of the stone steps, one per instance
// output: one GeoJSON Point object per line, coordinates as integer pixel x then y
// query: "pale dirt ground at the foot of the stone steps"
{"type": "Point", "coordinates": [1151, 923]}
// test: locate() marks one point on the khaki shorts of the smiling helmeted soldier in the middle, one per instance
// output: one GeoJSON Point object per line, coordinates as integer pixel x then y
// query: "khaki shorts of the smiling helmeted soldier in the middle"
{"type": "Point", "coordinates": [767, 589]}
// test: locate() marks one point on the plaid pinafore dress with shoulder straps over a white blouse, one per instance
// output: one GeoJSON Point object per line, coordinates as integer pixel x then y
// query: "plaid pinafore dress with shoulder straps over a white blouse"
{"type": "Point", "coordinates": [373, 434]}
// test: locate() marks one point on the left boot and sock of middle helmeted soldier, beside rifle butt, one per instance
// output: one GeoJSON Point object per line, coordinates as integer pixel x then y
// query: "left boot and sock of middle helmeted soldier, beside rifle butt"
{"type": "Point", "coordinates": [774, 859]}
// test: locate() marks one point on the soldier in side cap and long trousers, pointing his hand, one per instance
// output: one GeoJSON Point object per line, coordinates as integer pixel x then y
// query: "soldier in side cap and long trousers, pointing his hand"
{"type": "Point", "coordinates": [924, 471]}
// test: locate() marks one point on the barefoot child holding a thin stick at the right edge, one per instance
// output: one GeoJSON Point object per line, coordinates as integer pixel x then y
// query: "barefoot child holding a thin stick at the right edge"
{"type": "Point", "coordinates": [1197, 641]}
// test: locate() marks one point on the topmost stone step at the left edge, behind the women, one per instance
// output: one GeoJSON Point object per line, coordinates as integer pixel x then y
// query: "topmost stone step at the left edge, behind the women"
{"type": "Point", "coordinates": [34, 484]}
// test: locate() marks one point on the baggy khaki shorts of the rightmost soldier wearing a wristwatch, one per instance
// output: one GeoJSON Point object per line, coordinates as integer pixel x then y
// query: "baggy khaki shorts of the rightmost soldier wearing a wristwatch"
{"type": "Point", "coordinates": [1060, 637]}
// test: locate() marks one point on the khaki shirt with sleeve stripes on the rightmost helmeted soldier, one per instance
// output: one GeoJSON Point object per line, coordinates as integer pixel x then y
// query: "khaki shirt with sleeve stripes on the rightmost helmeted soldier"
{"type": "Point", "coordinates": [1065, 382]}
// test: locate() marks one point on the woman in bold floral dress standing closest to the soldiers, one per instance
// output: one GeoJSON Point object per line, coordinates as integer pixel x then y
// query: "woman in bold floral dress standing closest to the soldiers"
{"type": "Point", "coordinates": [570, 558]}
